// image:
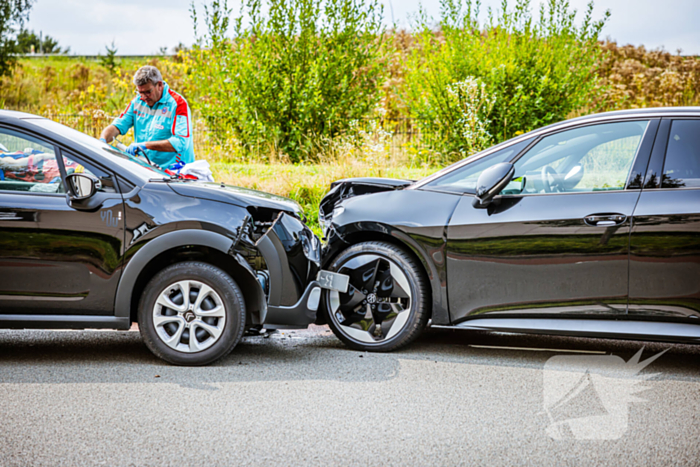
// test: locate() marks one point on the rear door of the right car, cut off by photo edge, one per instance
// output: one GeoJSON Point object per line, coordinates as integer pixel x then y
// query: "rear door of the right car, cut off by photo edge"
{"type": "Point", "coordinates": [665, 239]}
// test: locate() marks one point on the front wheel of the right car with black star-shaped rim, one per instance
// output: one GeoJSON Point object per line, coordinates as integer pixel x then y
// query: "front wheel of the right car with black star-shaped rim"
{"type": "Point", "coordinates": [380, 300]}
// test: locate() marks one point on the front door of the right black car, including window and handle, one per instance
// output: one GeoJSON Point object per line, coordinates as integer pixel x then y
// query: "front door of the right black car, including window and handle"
{"type": "Point", "coordinates": [556, 242]}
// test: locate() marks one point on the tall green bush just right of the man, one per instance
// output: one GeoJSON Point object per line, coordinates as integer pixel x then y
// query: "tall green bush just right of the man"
{"type": "Point", "coordinates": [293, 77]}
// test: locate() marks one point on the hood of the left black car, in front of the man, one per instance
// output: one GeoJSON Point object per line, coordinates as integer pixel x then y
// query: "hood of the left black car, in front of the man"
{"type": "Point", "coordinates": [231, 194]}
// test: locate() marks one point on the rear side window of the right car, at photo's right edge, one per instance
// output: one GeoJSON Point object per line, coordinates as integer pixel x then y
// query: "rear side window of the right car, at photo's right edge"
{"type": "Point", "coordinates": [682, 165]}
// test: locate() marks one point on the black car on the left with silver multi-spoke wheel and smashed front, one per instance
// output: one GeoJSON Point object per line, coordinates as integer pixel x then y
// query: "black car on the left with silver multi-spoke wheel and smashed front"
{"type": "Point", "coordinates": [91, 237]}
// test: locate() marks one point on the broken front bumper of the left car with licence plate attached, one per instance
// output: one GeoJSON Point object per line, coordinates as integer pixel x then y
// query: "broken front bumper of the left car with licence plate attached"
{"type": "Point", "coordinates": [293, 256]}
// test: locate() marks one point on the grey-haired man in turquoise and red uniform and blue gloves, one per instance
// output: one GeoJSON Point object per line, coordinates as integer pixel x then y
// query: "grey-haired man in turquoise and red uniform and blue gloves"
{"type": "Point", "coordinates": [161, 119]}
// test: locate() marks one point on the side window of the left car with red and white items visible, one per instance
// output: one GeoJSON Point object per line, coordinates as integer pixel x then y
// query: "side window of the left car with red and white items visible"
{"type": "Point", "coordinates": [28, 164]}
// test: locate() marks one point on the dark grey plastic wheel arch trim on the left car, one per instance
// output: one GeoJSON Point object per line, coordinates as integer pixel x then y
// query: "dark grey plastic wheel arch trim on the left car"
{"type": "Point", "coordinates": [153, 248]}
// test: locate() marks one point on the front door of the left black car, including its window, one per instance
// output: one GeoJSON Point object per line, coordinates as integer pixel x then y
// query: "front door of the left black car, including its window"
{"type": "Point", "coordinates": [54, 258]}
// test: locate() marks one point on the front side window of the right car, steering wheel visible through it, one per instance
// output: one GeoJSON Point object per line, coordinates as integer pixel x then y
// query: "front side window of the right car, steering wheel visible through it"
{"type": "Point", "coordinates": [591, 158]}
